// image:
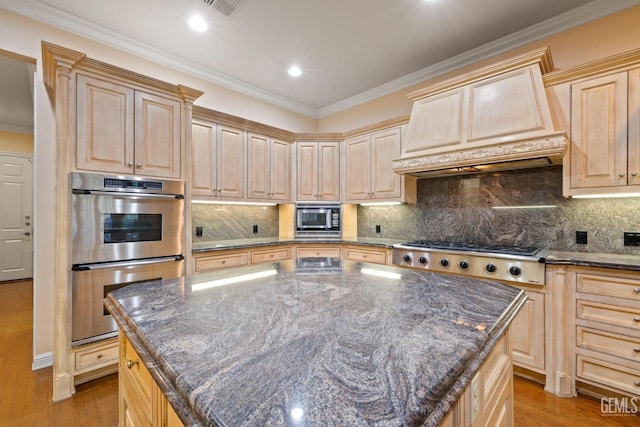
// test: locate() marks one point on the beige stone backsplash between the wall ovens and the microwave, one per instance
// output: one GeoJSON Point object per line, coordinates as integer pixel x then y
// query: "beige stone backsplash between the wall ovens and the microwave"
{"type": "Point", "coordinates": [230, 222]}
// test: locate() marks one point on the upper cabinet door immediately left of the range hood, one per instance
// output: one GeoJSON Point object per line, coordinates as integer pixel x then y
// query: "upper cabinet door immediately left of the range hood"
{"type": "Point", "coordinates": [385, 147]}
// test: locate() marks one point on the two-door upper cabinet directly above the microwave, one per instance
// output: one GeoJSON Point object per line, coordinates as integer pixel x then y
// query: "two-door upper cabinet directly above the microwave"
{"type": "Point", "coordinates": [318, 171]}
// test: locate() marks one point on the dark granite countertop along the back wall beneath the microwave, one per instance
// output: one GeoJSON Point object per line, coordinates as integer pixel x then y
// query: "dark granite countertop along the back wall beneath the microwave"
{"type": "Point", "coordinates": [271, 241]}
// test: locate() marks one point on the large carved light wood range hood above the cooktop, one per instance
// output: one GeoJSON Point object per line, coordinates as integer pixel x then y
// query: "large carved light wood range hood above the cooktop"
{"type": "Point", "coordinates": [493, 118]}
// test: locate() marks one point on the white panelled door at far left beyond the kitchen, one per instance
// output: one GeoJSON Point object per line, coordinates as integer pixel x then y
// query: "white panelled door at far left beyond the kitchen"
{"type": "Point", "coordinates": [16, 243]}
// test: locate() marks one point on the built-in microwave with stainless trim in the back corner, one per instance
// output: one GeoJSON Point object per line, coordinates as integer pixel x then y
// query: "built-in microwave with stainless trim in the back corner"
{"type": "Point", "coordinates": [318, 220]}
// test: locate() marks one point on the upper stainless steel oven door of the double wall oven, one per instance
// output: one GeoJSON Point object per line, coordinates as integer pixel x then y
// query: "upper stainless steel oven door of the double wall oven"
{"type": "Point", "coordinates": [108, 226]}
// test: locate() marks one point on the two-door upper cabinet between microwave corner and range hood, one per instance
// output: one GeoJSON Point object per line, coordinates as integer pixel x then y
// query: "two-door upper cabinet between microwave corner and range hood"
{"type": "Point", "coordinates": [368, 173]}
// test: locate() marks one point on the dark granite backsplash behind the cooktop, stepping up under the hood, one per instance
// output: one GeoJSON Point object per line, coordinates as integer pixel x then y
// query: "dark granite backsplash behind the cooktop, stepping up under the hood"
{"type": "Point", "coordinates": [523, 207]}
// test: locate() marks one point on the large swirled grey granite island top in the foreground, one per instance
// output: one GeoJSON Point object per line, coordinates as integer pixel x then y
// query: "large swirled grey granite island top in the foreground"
{"type": "Point", "coordinates": [314, 343]}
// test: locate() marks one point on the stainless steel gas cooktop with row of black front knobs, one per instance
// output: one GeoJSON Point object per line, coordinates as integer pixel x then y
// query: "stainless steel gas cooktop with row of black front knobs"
{"type": "Point", "coordinates": [507, 263]}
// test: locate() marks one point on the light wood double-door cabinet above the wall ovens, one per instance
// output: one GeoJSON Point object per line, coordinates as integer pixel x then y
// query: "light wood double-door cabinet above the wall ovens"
{"type": "Point", "coordinates": [124, 130]}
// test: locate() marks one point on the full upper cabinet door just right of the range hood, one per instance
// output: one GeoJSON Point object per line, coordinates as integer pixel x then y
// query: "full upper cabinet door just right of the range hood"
{"type": "Point", "coordinates": [599, 132]}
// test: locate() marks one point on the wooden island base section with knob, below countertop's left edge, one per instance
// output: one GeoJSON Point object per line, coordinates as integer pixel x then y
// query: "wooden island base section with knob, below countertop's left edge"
{"type": "Point", "coordinates": [141, 402]}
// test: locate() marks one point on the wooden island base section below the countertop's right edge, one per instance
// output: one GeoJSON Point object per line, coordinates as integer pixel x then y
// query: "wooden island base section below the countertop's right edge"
{"type": "Point", "coordinates": [488, 399]}
